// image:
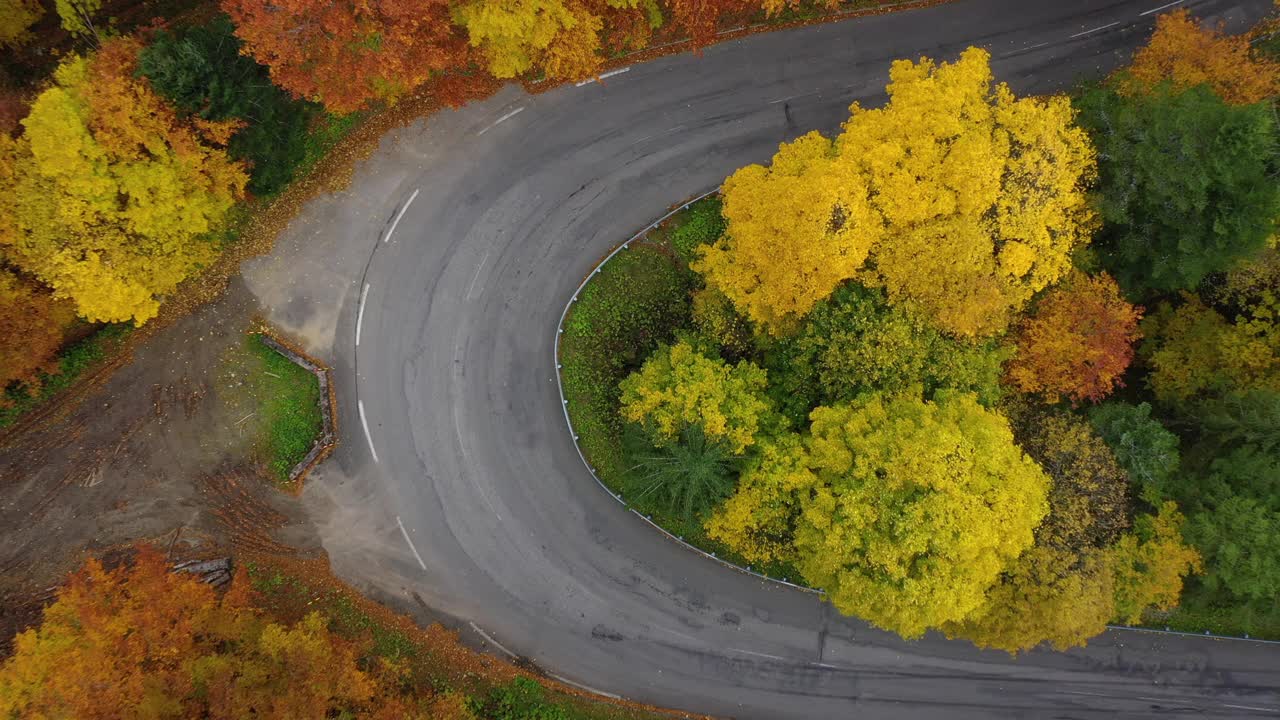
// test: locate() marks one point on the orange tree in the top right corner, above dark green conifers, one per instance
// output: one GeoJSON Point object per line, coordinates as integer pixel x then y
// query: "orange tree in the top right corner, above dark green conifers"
{"type": "Point", "coordinates": [1188, 54]}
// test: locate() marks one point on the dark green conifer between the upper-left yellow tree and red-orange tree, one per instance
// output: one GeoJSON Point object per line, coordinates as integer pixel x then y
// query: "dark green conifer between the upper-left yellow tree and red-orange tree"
{"type": "Point", "coordinates": [203, 72]}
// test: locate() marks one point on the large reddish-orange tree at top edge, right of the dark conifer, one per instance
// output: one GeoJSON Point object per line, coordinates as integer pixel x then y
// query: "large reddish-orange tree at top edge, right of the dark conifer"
{"type": "Point", "coordinates": [348, 53]}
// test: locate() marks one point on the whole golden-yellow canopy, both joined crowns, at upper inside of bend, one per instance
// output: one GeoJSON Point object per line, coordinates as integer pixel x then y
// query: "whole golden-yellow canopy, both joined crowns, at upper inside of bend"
{"type": "Point", "coordinates": [961, 198]}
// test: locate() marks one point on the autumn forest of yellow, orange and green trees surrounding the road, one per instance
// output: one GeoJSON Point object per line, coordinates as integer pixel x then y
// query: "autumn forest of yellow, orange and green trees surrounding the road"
{"type": "Point", "coordinates": [999, 367]}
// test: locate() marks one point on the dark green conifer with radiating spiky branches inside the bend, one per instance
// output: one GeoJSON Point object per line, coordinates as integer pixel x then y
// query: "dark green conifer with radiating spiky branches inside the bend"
{"type": "Point", "coordinates": [687, 479]}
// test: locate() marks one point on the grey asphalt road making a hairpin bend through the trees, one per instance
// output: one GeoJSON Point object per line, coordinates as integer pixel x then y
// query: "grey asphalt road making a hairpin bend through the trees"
{"type": "Point", "coordinates": [458, 487]}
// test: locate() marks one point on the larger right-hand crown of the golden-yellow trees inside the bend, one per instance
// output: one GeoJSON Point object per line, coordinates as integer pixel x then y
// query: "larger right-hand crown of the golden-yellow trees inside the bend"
{"type": "Point", "coordinates": [982, 194]}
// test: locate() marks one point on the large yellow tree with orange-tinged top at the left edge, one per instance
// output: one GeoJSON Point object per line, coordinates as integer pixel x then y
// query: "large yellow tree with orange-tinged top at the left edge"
{"type": "Point", "coordinates": [115, 199]}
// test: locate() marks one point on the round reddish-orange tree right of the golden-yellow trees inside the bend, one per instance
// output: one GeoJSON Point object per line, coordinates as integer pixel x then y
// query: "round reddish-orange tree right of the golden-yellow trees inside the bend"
{"type": "Point", "coordinates": [1078, 343]}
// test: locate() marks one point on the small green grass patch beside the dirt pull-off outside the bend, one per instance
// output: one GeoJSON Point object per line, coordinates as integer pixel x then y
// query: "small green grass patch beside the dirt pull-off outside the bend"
{"type": "Point", "coordinates": [280, 402]}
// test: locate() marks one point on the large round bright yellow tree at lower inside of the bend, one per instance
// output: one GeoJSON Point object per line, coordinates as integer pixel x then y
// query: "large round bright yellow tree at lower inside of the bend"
{"type": "Point", "coordinates": [904, 512]}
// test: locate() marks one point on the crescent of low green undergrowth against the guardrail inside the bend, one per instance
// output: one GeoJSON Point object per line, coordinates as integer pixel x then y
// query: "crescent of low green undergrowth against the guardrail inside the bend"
{"type": "Point", "coordinates": [638, 302]}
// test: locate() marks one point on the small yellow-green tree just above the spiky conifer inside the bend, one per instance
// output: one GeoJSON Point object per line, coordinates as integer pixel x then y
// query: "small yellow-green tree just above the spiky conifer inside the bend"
{"type": "Point", "coordinates": [679, 388]}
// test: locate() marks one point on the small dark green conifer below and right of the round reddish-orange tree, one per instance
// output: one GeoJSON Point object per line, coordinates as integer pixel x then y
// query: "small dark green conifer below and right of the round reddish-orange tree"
{"type": "Point", "coordinates": [1142, 445]}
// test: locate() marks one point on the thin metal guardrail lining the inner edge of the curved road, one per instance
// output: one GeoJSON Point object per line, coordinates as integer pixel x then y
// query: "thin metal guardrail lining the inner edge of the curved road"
{"type": "Point", "coordinates": [569, 422]}
